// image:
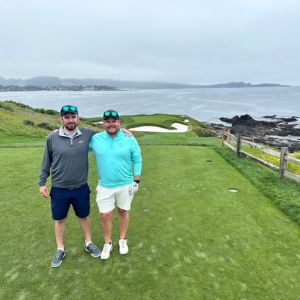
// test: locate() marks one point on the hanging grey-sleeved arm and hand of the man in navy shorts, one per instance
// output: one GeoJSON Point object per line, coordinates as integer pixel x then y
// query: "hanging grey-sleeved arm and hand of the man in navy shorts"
{"type": "Point", "coordinates": [45, 169]}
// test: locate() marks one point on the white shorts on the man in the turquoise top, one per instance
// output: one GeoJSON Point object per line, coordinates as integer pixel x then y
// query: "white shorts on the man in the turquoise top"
{"type": "Point", "coordinates": [108, 198]}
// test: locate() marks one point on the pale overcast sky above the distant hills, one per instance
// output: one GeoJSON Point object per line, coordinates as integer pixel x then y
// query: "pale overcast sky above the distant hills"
{"type": "Point", "coordinates": [174, 41]}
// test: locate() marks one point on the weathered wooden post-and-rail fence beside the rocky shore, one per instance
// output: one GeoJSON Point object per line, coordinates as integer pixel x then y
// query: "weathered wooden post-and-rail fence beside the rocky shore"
{"type": "Point", "coordinates": [228, 138]}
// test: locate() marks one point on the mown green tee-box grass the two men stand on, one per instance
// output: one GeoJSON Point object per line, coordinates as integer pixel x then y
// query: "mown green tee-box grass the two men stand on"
{"type": "Point", "coordinates": [189, 237]}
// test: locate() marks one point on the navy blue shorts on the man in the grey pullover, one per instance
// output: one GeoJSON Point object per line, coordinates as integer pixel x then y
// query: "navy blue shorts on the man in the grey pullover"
{"type": "Point", "coordinates": [62, 199]}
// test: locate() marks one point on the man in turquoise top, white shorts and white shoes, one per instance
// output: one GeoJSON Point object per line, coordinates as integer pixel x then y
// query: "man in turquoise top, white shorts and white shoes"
{"type": "Point", "coordinates": [119, 166]}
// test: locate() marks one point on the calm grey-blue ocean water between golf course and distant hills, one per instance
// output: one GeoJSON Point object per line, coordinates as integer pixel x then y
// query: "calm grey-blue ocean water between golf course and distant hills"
{"type": "Point", "coordinates": [202, 104]}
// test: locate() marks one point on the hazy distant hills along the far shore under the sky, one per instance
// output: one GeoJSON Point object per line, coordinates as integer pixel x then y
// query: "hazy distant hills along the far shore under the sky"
{"type": "Point", "coordinates": [56, 83]}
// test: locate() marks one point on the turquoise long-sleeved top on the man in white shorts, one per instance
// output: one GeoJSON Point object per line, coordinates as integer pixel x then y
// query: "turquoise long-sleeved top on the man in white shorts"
{"type": "Point", "coordinates": [118, 158]}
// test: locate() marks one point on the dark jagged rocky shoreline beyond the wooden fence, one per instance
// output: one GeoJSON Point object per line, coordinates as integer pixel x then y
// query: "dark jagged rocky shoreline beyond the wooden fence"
{"type": "Point", "coordinates": [277, 132]}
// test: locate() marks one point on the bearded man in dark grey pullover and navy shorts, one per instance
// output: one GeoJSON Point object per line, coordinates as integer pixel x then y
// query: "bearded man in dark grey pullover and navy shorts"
{"type": "Point", "coordinates": [66, 156]}
